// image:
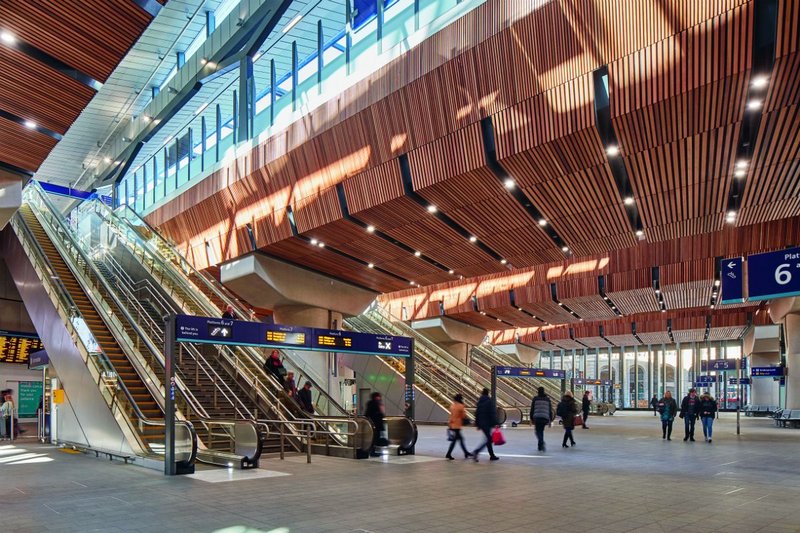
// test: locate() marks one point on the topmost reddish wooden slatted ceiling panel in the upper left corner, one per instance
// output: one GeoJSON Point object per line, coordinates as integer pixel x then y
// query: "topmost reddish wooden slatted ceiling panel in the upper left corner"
{"type": "Point", "coordinates": [89, 36]}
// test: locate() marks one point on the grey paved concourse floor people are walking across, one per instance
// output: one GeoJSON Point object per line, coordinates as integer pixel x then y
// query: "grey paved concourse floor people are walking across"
{"type": "Point", "coordinates": [620, 477]}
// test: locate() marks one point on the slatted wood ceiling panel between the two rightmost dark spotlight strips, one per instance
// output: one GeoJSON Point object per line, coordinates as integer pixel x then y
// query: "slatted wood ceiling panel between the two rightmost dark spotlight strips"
{"type": "Point", "coordinates": [679, 129]}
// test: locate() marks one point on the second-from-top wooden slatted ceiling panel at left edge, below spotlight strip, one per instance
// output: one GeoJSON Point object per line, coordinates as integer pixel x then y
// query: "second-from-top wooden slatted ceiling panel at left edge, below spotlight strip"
{"type": "Point", "coordinates": [31, 90]}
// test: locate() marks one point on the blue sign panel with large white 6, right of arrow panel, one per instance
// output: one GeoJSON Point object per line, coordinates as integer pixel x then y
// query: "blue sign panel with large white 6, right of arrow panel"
{"type": "Point", "coordinates": [774, 274]}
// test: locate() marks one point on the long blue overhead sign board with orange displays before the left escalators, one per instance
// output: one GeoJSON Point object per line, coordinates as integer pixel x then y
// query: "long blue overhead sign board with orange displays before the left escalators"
{"type": "Point", "coordinates": [243, 333]}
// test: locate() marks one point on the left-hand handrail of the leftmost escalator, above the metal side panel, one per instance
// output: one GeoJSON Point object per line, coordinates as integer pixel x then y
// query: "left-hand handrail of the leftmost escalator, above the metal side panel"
{"type": "Point", "coordinates": [100, 357]}
